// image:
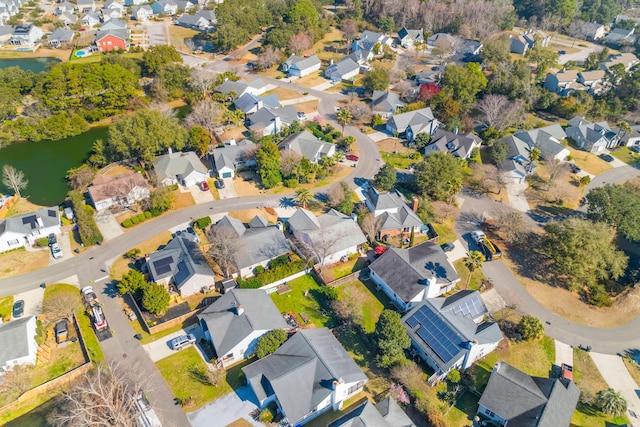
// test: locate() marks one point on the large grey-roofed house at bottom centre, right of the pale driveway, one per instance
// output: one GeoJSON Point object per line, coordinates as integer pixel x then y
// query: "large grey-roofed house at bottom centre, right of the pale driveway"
{"type": "Point", "coordinates": [308, 375]}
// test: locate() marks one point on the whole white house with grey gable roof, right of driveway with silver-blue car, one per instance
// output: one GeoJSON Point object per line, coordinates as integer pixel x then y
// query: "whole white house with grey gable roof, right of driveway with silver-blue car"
{"type": "Point", "coordinates": [235, 322]}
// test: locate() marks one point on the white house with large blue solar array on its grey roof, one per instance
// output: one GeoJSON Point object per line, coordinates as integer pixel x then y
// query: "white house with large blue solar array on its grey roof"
{"type": "Point", "coordinates": [451, 333]}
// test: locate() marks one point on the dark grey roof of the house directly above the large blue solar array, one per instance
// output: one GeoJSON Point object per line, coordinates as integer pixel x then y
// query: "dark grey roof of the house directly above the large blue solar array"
{"type": "Point", "coordinates": [405, 271]}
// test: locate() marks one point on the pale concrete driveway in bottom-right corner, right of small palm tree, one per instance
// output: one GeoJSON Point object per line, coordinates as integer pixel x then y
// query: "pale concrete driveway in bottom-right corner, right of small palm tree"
{"type": "Point", "coordinates": [615, 373]}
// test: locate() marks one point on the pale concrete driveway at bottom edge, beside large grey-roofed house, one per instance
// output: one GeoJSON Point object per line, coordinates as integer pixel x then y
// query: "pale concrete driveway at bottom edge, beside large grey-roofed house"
{"type": "Point", "coordinates": [236, 405]}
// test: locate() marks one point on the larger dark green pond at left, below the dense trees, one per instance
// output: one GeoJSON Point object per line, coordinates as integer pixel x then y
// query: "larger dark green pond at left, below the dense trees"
{"type": "Point", "coordinates": [45, 164]}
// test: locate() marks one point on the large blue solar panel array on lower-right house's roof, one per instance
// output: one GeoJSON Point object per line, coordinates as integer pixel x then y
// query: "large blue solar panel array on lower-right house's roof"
{"type": "Point", "coordinates": [437, 334]}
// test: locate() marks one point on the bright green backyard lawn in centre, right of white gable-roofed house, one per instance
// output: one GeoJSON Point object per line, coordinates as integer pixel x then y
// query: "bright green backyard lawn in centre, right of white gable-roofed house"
{"type": "Point", "coordinates": [303, 297]}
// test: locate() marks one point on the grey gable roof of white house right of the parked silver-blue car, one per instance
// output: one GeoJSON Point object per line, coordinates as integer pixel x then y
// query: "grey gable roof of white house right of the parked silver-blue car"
{"type": "Point", "coordinates": [228, 328]}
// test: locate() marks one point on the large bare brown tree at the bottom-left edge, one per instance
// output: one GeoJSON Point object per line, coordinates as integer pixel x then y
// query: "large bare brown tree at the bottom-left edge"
{"type": "Point", "coordinates": [105, 397]}
